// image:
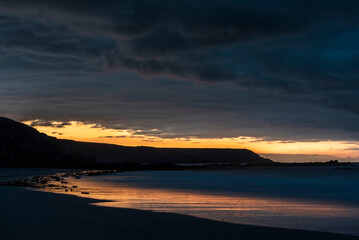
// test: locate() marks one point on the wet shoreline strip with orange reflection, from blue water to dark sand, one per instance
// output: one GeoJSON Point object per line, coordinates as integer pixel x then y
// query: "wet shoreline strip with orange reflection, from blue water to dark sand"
{"type": "Point", "coordinates": [265, 211]}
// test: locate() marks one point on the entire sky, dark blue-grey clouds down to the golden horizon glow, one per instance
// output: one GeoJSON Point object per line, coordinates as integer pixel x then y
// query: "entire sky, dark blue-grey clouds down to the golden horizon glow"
{"type": "Point", "coordinates": [278, 77]}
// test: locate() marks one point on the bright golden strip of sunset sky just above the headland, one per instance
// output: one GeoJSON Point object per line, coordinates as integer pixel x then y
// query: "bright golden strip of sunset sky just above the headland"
{"type": "Point", "coordinates": [79, 131]}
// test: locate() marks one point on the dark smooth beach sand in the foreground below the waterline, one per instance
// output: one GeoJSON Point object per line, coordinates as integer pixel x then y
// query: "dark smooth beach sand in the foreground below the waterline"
{"type": "Point", "coordinates": [27, 214]}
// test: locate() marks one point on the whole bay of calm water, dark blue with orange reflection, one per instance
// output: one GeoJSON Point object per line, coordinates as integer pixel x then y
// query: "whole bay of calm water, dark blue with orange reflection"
{"type": "Point", "coordinates": [321, 199]}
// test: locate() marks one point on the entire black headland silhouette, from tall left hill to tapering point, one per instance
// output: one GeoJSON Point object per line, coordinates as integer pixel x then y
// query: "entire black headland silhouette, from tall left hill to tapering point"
{"type": "Point", "coordinates": [21, 145]}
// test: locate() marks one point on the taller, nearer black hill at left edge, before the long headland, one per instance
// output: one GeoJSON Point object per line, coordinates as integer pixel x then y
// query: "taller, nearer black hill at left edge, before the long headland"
{"type": "Point", "coordinates": [21, 145]}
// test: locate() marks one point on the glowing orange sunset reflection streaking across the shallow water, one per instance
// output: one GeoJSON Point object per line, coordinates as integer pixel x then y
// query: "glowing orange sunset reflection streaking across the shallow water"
{"type": "Point", "coordinates": [180, 201]}
